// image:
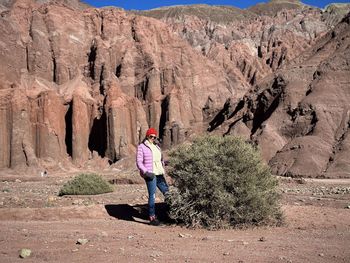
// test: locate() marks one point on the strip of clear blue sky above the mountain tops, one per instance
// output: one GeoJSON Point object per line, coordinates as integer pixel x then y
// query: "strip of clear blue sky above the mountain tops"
{"type": "Point", "coordinates": [149, 4]}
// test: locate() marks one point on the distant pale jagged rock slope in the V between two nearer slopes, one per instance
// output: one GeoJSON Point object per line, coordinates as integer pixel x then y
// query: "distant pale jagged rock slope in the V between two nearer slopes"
{"type": "Point", "coordinates": [251, 43]}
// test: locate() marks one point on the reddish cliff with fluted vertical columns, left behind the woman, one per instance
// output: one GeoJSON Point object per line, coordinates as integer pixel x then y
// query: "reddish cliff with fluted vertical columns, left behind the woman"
{"type": "Point", "coordinates": [78, 85]}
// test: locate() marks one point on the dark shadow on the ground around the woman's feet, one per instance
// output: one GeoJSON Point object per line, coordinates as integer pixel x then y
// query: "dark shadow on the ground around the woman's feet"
{"type": "Point", "coordinates": [138, 213]}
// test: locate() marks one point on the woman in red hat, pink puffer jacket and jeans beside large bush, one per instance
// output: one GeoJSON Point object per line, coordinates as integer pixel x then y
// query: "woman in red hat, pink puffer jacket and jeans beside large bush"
{"type": "Point", "coordinates": [150, 163]}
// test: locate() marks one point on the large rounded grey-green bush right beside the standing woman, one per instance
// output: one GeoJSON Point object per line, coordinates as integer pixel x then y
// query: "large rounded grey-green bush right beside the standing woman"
{"type": "Point", "coordinates": [221, 182]}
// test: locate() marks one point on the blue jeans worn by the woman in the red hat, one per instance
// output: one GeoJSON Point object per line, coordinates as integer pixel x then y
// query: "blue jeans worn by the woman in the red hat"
{"type": "Point", "coordinates": [157, 181]}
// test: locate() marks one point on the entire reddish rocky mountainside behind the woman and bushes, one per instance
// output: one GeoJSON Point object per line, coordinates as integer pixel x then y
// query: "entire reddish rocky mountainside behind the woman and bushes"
{"type": "Point", "coordinates": [81, 85]}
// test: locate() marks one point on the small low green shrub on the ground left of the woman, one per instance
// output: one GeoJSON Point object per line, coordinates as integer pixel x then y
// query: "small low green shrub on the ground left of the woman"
{"type": "Point", "coordinates": [86, 184]}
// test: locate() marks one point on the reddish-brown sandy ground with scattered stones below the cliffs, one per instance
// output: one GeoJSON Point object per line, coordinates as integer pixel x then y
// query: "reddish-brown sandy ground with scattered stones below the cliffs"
{"type": "Point", "coordinates": [317, 227]}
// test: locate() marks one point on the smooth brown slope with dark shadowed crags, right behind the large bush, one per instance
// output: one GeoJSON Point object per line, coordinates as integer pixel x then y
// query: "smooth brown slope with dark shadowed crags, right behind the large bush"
{"type": "Point", "coordinates": [300, 115]}
